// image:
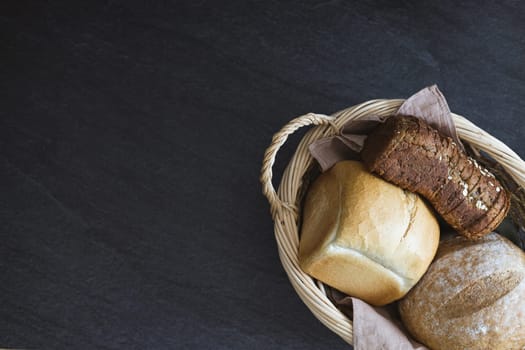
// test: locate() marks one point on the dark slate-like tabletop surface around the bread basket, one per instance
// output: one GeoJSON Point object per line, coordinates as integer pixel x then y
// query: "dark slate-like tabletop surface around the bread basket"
{"type": "Point", "coordinates": [131, 137]}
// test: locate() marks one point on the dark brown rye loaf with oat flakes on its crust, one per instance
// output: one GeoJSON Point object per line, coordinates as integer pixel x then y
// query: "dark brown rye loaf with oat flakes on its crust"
{"type": "Point", "coordinates": [408, 152]}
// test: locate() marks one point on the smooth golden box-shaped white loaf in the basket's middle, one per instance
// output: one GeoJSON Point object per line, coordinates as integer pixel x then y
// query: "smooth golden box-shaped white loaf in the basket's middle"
{"type": "Point", "coordinates": [364, 236]}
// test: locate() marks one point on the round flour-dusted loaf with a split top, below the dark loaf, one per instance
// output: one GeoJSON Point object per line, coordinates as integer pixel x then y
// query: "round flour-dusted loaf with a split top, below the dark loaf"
{"type": "Point", "coordinates": [472, 297]}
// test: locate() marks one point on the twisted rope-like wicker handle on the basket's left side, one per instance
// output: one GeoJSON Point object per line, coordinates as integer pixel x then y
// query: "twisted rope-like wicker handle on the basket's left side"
{"type": "Point", "coordinates": [271, 152]}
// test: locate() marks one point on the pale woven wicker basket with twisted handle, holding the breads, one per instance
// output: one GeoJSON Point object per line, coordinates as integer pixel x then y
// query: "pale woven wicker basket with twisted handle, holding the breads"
{"type": "Point", "coordinates": [285, 203]}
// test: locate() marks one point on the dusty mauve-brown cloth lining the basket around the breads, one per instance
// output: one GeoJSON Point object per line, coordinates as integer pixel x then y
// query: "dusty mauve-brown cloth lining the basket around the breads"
{"type": "Point", "coordinates": [380, 327]}
